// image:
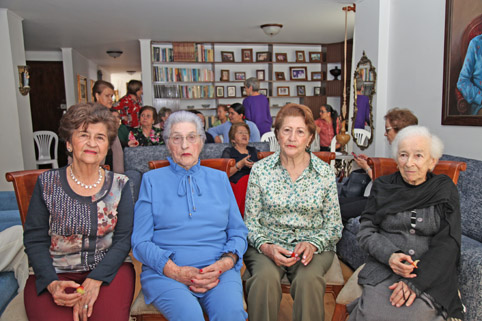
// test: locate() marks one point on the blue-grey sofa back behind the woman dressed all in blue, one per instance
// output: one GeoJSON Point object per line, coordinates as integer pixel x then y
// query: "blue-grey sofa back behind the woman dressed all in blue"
{"type": "Point", "coordinates": [136, 159]}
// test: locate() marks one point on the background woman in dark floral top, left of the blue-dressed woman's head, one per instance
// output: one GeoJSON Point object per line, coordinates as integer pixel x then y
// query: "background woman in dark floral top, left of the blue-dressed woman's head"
{"type": "Point", "coordinates": [146, 134]}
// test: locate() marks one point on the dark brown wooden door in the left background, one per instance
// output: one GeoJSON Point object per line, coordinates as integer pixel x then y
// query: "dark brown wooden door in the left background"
{"type": "Point", "coordinates": [47, 93]}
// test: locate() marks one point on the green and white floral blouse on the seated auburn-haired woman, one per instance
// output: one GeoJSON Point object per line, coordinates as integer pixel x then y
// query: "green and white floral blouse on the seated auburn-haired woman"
{"type": "Point", "coordinates": [285, 213]}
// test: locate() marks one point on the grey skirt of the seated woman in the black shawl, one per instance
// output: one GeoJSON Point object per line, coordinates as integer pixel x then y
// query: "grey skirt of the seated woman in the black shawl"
{"type": "Point", "coordinates": [374, 304]}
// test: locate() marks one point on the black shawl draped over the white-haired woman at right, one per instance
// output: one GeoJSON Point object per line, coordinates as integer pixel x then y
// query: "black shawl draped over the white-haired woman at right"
{"type": "Point", "coordinates": [437, 270]}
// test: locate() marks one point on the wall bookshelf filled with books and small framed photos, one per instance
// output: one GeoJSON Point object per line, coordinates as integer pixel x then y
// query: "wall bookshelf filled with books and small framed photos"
{"type": "Point", "coordinates": [203, 75]}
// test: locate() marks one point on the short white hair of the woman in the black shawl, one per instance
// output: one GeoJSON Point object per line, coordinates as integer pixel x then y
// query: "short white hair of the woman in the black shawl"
{"type": "Point", "coordinates": [436, 145]}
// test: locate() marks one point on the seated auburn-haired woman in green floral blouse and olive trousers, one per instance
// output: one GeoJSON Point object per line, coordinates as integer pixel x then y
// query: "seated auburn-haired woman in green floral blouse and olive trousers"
{"type": "Point", "coordinates": [293, 217]}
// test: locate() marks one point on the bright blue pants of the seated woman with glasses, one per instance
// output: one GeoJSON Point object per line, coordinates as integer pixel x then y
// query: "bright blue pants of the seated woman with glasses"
{"type": "Point", "coordinates": [223, 302]}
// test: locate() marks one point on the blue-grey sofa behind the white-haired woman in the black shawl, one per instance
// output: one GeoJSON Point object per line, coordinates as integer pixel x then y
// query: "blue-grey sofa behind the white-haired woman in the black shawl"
{"type": "Point", "coordinates": [470, 269]}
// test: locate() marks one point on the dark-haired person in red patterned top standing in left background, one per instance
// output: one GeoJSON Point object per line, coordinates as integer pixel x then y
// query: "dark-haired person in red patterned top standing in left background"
{"type": "Point", "coordinates": [129, 106]}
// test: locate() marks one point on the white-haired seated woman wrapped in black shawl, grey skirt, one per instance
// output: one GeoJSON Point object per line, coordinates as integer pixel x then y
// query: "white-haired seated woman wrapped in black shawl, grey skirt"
{"type": "Point", "coordinates": [411, 230]}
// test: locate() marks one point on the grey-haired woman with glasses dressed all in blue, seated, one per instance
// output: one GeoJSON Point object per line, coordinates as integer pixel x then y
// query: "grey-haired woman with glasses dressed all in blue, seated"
{"type": "Point", "coordinates": [188, 232]}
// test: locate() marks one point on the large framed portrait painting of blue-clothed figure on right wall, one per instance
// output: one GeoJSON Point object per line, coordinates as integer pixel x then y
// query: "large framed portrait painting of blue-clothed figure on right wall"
{"type": "Point", "coordinates": [463, 27]}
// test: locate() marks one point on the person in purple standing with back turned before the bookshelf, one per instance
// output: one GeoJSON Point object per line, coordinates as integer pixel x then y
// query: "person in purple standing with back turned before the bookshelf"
{"type": "Point", "coordinates": [256, 106]}
